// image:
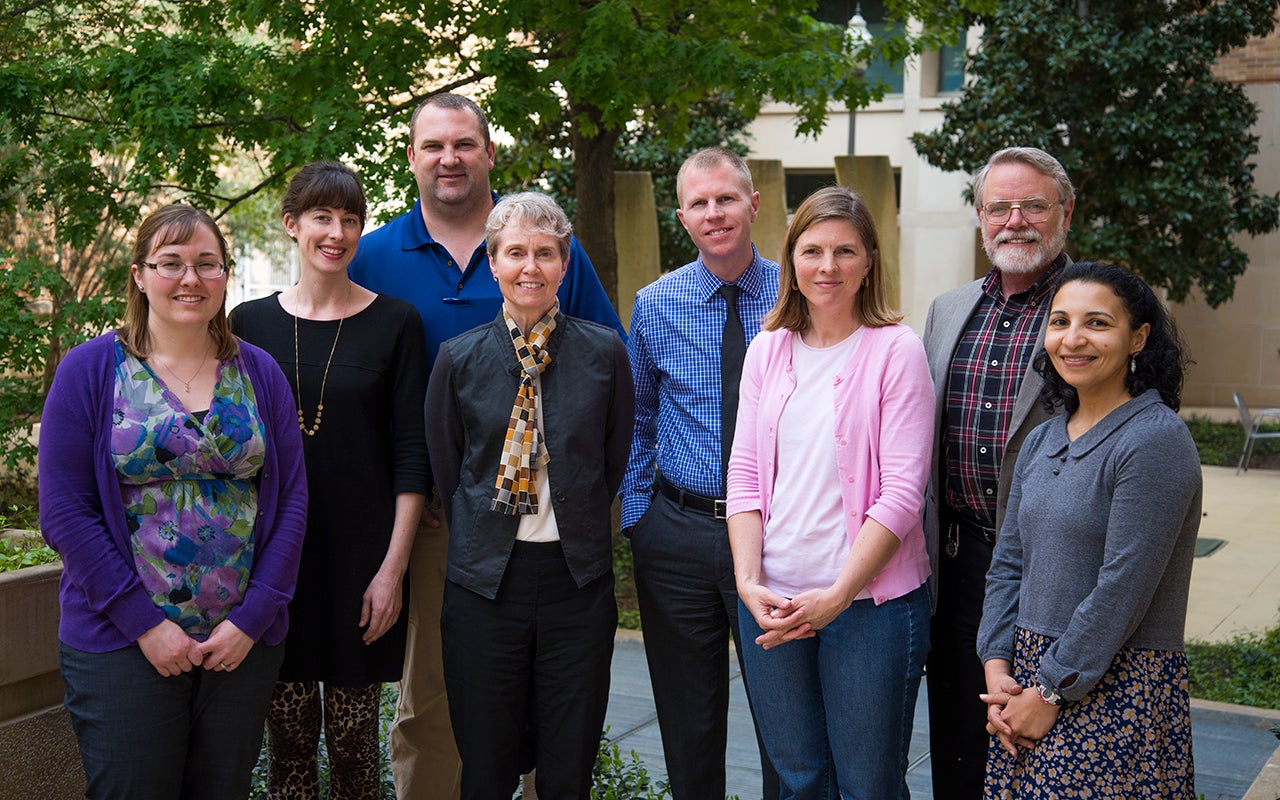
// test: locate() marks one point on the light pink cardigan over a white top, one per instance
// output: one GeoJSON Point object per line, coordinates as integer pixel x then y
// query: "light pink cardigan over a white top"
{"type": "Point", "coordinates": [884, 442]}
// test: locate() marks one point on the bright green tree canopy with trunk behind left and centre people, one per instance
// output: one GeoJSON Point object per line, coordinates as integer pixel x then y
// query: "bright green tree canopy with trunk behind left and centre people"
{"type": "Point", "coordinates": [109, 108]}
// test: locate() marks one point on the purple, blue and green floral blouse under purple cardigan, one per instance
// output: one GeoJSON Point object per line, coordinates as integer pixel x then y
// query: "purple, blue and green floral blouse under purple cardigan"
{"type": "Point", "coordinates": [190, 490]}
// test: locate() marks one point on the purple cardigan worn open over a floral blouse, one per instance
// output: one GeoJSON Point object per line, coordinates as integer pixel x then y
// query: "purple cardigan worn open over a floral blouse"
{"type": "Point", "coordinates": [104, 605]}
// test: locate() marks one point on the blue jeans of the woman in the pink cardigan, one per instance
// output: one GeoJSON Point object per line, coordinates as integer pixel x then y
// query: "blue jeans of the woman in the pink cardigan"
{"type": "Point", "coordinates": [836, 710]}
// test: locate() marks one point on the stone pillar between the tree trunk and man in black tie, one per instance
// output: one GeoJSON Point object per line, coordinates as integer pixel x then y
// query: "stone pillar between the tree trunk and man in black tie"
{"type": "Point", "coordinates": [636, 230]}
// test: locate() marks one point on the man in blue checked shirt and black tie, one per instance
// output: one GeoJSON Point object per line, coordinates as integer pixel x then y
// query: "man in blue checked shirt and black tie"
{"type": "Point", "coordinates": [674, 491]}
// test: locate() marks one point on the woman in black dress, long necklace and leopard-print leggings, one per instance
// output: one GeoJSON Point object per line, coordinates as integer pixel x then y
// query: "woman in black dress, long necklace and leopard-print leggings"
{"type": "Point", "coordinates": [356, 364]}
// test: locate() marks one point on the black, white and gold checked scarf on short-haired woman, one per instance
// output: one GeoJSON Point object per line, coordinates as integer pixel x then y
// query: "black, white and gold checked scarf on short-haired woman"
{"type": "Point", "coordinates": [523, 452]}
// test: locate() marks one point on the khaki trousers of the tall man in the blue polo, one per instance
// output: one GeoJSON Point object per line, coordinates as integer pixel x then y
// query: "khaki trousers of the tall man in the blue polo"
{"type": "Point", "coordinates": [426, 762]}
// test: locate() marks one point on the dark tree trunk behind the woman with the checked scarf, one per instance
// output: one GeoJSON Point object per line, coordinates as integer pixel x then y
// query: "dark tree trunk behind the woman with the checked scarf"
{"type": "Point", "coordinates": [593, 186]}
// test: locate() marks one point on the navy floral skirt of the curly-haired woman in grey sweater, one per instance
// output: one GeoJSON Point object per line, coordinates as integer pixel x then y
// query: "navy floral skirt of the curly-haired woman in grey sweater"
{"type": "Point", "coordinates": [1130, 738]}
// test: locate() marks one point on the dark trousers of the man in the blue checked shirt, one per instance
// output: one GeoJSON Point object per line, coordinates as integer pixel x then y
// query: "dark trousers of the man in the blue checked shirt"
{"type": "Point", "coordinates": [689, 609]}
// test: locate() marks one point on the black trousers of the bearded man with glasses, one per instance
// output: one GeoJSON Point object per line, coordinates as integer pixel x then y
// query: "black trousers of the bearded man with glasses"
{"type": "Point", "coordinates": [958, 719]}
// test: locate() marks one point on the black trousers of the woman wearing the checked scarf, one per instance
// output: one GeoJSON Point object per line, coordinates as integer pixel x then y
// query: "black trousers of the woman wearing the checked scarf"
{"type": "Point", "coordinates": [532, 665]}
